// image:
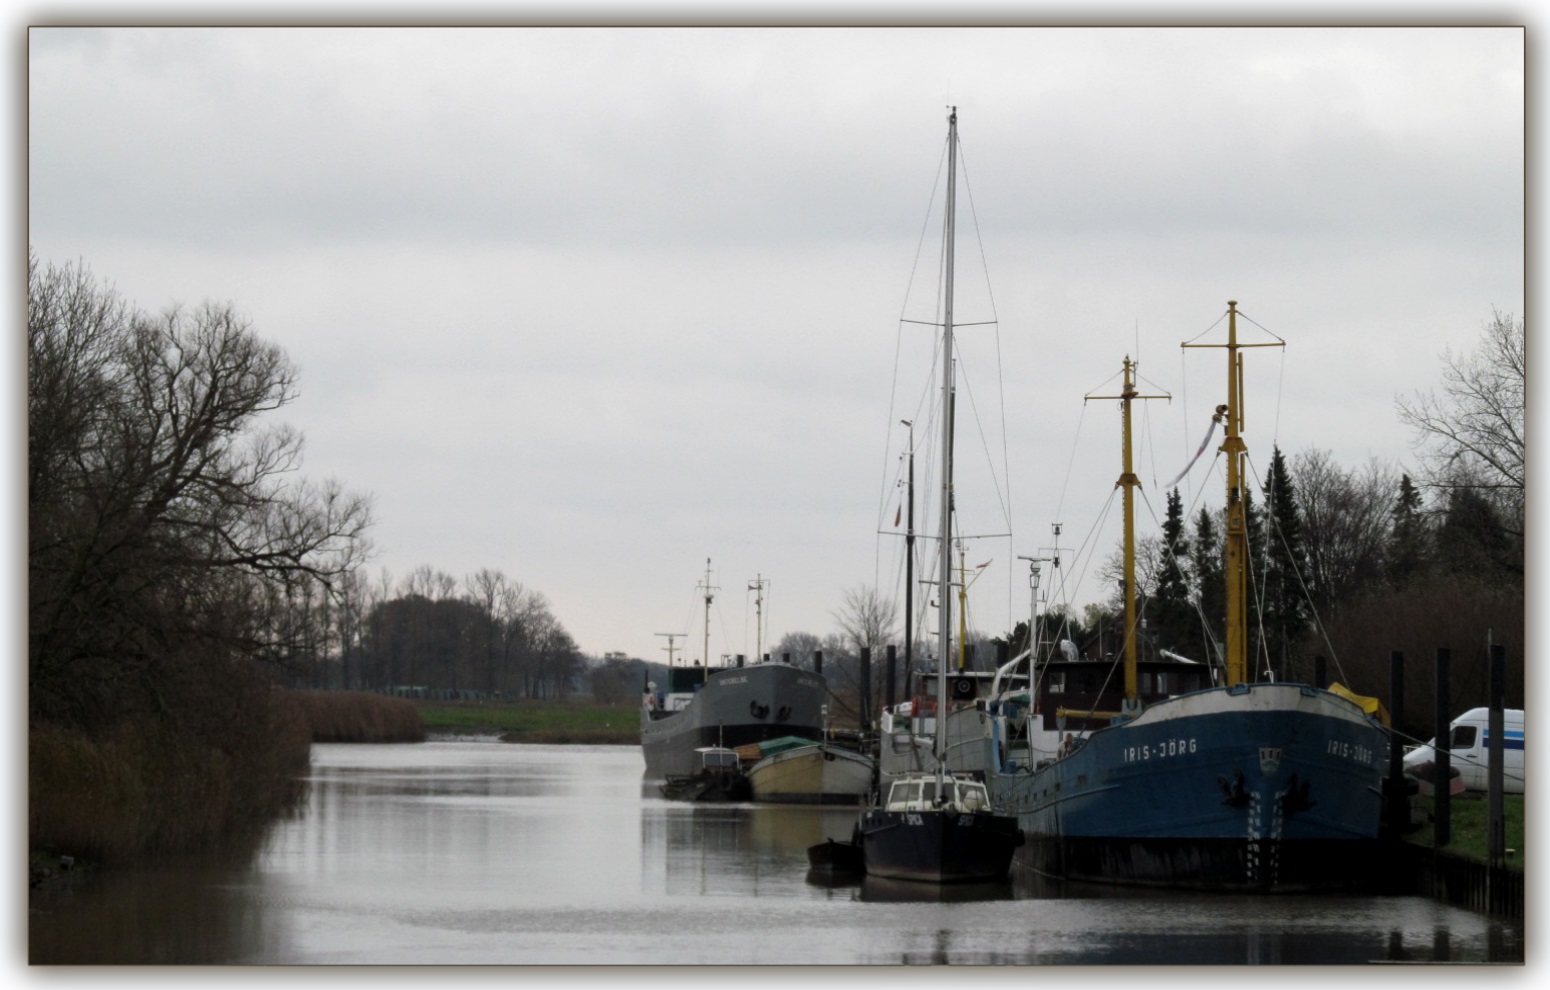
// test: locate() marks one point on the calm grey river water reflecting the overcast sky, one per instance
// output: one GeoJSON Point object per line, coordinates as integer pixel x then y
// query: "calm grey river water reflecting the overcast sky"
{"type": "Point", "coordinates": [480, 853]}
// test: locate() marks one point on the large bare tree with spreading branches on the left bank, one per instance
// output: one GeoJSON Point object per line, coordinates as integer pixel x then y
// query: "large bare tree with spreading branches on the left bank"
{"type": "Point", "coordinates": [170, 534]}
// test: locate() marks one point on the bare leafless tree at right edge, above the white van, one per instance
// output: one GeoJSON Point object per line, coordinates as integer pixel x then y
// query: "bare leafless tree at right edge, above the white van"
{"type": "Point", "coordinates": [1473, 433]}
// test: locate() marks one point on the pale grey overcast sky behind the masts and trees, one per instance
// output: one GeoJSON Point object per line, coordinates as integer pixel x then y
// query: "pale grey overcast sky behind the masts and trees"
{"type": "Point", "coordinates": [591, 306]}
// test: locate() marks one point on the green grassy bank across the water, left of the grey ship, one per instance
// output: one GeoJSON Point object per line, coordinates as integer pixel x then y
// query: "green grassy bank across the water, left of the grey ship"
{"type": "Point", "coordinates": [537, 721]}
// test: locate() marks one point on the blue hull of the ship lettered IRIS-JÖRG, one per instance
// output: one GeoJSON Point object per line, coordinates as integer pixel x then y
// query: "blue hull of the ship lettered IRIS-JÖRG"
{"type": "Point", "coordinates": [1262, 786]}
